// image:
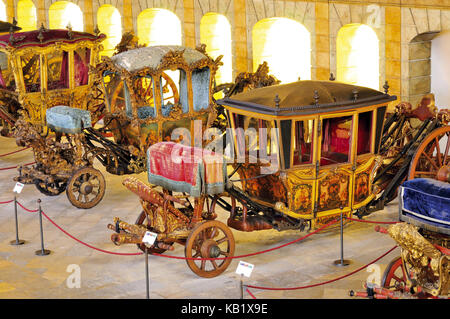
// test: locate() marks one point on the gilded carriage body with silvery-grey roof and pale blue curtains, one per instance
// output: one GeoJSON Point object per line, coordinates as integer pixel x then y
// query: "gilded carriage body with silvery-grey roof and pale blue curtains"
{"type": "Point", "coordinates": [153, 90]}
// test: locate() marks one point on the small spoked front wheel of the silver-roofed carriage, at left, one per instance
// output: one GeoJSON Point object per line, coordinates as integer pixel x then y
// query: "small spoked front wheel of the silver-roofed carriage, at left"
{"type": "Point", "coordinates": [86, 188]}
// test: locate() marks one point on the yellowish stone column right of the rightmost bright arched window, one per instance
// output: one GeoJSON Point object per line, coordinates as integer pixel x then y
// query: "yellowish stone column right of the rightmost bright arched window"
{"type": "Point", "coordinates": [393, 51]}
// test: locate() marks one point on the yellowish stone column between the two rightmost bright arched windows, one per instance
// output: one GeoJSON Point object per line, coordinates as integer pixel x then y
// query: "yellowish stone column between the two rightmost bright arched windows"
{"type": "Point", "coordinates": [322, 67]}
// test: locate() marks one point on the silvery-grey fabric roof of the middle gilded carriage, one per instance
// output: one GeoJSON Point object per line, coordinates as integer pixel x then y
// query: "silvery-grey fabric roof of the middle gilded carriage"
{"type": "Point", "coordinates": [156, 57]}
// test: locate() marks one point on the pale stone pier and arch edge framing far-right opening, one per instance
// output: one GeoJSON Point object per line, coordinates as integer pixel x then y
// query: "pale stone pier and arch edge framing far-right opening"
{"type": "Point", "coordinates": [419, 27]}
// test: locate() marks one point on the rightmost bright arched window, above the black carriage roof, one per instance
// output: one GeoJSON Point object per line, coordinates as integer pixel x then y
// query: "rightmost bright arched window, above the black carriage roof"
{"type": "Point", "coordinates": [358, 56]}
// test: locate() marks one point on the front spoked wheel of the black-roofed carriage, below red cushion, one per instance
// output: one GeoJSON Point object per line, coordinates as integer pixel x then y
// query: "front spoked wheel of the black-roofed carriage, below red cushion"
{"type": "Point", "coordinates": [209, 239]}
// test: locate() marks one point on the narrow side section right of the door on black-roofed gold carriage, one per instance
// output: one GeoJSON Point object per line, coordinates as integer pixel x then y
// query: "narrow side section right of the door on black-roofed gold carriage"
{"type": "Point", "coordinates": [365, 159]}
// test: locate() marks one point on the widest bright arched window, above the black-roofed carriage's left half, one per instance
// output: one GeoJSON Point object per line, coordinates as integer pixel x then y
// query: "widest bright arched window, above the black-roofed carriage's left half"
{"type": "Point", "coordinates": [286, 46]}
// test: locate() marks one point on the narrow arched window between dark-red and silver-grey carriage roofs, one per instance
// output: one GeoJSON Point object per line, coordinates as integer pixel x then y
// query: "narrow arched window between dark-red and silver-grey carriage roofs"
{"type": "Point", "coordinates": [109, 22]}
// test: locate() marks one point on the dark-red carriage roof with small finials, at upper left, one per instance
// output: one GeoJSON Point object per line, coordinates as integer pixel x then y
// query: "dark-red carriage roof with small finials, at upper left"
{"type": "Point", "coordinates": [44, 38]}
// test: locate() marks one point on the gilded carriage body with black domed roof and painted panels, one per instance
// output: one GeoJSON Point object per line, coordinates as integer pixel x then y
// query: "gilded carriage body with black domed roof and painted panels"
{"type": "Point", "coordinates": [325, 140]}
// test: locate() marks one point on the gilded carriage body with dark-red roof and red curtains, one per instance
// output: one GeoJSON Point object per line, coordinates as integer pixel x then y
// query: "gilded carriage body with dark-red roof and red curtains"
{"type": "Point", "coordinates": [44, 68]}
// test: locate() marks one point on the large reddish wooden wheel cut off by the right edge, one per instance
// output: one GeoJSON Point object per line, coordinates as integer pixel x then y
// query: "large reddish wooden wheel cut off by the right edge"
{"type": "Point", "coordinates": [432, 157]}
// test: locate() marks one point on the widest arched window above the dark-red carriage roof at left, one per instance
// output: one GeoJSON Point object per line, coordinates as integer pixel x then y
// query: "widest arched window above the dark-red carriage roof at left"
{"type": "Point", "coordinates": [61, 13]}
